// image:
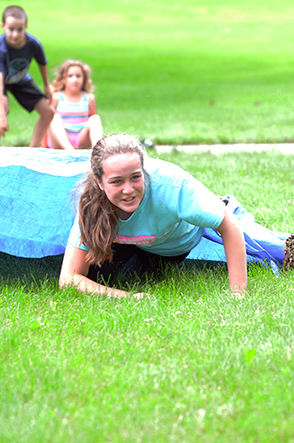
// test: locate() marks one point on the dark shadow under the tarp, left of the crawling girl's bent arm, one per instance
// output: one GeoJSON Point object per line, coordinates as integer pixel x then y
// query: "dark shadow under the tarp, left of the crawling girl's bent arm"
{"type": "Point", "coordinates": [29, 270]}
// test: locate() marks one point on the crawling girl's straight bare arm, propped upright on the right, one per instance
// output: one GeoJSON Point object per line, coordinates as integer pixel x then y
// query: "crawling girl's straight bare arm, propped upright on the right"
{"type": "Point", "coordinates": [233, 241]}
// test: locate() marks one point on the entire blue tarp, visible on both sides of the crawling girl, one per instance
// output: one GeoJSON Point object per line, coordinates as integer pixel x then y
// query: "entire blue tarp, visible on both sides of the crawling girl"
{"type": "Point", "coordinates": [37, 211]}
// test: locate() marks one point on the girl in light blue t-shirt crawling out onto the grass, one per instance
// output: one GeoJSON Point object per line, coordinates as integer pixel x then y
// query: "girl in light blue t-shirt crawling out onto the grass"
{"type": "Point", "coordinates": [137, 212]}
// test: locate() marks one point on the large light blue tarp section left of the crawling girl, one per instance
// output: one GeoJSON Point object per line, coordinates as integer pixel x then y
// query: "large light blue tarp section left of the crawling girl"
{"type": "Point", "coordinates": [36, 199]}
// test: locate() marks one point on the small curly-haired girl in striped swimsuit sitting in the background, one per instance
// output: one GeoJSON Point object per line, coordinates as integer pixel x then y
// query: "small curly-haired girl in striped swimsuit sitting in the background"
{"type": "Point", "coordinates": [75, 123]}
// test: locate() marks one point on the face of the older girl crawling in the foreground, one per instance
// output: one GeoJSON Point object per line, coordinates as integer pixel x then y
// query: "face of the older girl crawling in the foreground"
{"type": "Point", "coordinates": [123, 182]}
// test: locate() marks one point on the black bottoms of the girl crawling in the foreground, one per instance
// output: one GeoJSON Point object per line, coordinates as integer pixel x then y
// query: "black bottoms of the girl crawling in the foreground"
{"type": "Point", "coordinates": [128, 259]}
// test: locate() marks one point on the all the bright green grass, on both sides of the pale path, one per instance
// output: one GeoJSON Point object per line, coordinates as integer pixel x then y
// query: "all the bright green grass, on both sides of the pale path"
{"type": "Point", "coordinates": [191, 363]}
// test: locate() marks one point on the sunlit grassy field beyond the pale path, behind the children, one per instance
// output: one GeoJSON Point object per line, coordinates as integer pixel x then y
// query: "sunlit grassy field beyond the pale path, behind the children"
{"type": "Point", "coordinates": [175, 72]}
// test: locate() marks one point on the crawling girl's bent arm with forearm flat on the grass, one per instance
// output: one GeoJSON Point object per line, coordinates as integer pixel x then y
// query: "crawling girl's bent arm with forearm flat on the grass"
{"type": "Point", "coordinates": [74, 272]}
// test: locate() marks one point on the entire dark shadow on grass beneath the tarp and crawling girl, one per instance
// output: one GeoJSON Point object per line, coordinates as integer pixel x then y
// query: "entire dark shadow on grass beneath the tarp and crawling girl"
{"type": "Point", "coordinates": [34, 272]}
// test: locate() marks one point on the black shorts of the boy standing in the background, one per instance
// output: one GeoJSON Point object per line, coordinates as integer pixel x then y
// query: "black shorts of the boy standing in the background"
{"type": "Point", "coordinates": [27, 94]}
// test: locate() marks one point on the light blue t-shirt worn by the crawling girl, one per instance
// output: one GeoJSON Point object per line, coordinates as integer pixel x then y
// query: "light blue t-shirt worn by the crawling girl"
{"type": "Point", "coordinates": [171, 217]}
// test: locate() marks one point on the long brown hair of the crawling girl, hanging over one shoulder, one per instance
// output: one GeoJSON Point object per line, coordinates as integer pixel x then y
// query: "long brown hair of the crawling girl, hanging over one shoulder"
{"type": "Point", "coordinates": [97, 215]}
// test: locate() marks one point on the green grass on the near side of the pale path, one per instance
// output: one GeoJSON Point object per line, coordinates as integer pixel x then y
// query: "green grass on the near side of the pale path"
{"type": "Point", "coordinates": [191, 363]}
